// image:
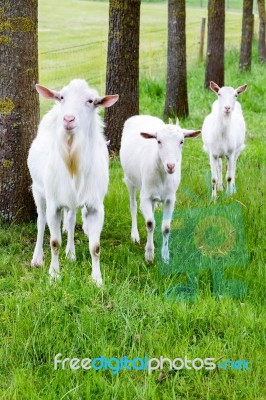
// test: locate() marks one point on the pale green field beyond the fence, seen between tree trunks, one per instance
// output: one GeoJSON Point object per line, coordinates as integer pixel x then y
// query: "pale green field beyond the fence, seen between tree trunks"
{"type": "Point", "coordinates": [79, 46]}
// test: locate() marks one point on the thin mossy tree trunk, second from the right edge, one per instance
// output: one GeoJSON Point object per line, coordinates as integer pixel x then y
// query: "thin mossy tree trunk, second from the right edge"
{"type": "Point", "coordinates": [247, 36]}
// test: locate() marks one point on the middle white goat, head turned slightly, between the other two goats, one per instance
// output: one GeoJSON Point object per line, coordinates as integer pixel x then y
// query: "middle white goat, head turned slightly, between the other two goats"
{"type": "Point", "coordinates": [154, 167]}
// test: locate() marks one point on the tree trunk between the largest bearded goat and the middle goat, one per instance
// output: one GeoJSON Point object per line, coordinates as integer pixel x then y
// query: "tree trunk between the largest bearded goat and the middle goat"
{"type": "Point", "coordinates": [122, 75]}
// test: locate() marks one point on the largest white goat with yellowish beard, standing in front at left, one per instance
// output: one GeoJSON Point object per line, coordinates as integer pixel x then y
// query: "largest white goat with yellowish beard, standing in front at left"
{"type": "Point", "coordinates": [68, 163]}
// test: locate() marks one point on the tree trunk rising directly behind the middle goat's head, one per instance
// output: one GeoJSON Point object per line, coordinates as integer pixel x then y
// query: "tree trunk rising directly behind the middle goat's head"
{"type": "Point", "coordinates": [176, 103]}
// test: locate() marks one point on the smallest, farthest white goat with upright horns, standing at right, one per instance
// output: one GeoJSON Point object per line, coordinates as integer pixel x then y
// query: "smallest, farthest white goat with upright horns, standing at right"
{"type": "Point", "coordinates": [223, 135]}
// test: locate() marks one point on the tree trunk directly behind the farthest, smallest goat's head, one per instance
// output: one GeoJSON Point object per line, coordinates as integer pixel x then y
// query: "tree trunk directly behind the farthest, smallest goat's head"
{"type": "Point", "coordinates": [215, 46]}
